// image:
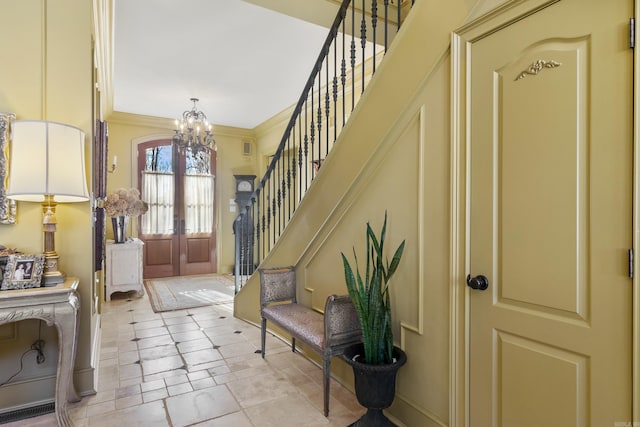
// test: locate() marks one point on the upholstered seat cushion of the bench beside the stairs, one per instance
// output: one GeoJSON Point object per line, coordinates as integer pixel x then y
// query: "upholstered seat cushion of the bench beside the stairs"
{"type": "Point", "coordinates": [302, 322]}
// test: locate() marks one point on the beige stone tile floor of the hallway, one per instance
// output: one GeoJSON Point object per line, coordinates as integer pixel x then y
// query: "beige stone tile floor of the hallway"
{"type": "Point", "coordinates": [199, 367]}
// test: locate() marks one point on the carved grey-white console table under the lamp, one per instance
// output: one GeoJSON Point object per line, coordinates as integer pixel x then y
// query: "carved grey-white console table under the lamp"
{"type": "Point", "coordinates": [56, 305]}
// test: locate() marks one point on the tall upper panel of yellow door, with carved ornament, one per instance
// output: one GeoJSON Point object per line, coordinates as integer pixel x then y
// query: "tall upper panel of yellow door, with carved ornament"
{"type": "Point", "coordinates": [540, 178]}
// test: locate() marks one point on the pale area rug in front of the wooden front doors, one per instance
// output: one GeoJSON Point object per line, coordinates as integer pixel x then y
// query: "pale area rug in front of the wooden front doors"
{"type": "Point", "coordinates": [177, 293]}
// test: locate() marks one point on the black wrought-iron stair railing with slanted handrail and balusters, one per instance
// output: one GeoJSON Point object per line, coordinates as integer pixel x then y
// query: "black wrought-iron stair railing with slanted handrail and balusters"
{"type": "Point", "coordinates": [355, 45]}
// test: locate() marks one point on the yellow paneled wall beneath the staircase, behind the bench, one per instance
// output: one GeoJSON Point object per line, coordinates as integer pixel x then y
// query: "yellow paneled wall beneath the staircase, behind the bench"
{"type": "Point", "coordinates": [394, 155]}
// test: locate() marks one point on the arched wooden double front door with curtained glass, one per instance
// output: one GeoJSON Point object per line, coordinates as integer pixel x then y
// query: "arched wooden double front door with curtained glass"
{"type": "Point", "coordinates": [179, 228]}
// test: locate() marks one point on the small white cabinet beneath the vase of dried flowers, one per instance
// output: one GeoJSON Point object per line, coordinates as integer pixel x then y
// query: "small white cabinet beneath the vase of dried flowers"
{"type": "Point", "coordinates": [124, 267]}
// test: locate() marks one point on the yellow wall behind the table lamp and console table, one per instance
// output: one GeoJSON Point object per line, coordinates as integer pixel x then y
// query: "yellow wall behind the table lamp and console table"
{"type": "Point", "coordinates": [46, 74]}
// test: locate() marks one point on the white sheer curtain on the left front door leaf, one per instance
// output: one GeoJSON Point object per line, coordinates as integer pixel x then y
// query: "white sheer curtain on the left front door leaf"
{"type": "Point", "coordinates": [158, 191]}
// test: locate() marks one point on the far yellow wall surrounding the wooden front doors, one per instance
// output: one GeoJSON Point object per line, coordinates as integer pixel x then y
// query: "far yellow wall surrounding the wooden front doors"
{"type": "Point", "coordinates": [127, 130]}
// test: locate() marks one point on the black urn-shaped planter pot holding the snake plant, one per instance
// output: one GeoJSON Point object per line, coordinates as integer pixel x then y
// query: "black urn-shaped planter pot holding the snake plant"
{"type": "Point", "coordinates": [375, 385]}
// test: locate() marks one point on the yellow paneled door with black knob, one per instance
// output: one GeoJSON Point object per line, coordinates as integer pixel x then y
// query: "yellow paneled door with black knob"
{"type": "Point", "coordinates": [550, 217]}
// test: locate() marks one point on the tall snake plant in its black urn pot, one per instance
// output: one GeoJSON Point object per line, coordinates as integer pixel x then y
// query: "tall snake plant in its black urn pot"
{"type": "Point", "coordinates": [376, 360]}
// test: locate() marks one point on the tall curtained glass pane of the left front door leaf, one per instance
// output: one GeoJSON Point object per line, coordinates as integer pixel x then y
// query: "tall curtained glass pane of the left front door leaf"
{"type": "Point", "coordinates": [158, 190]}
